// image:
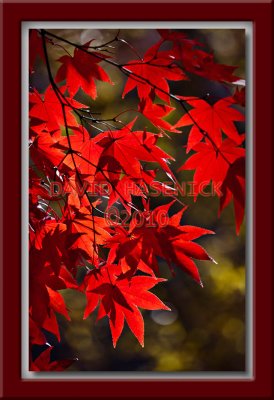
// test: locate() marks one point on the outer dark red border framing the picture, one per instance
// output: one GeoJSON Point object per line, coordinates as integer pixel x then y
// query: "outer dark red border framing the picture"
{"type": "Point", "coordinates": [262, 16]}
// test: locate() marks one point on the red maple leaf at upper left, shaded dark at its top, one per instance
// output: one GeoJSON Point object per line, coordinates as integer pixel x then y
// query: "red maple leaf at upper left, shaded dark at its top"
{"type": "Point", "coordinates": [81, 70]}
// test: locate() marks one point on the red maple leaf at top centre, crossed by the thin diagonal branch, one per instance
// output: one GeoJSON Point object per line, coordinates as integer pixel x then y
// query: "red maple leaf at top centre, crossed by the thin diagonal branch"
{"type": "Point", "coordinates": [151, 74]}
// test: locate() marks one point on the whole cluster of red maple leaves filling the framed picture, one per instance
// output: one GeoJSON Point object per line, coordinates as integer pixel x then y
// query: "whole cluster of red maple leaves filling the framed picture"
{"type": "Point", "coordinates": [69, 231]}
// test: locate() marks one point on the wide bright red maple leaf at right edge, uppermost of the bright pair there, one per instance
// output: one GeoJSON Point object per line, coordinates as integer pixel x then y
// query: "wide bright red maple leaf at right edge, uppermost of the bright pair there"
{"type": "Point", "coordinates": [214, 120]}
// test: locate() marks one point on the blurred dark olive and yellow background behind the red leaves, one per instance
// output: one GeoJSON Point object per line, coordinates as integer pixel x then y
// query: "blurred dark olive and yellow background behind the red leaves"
{"type": "Point", "coordinates": [205, 331]}
